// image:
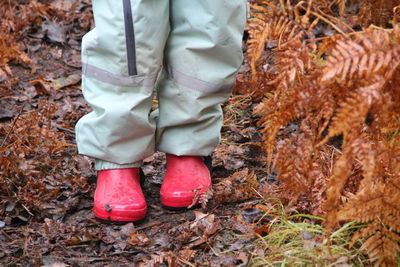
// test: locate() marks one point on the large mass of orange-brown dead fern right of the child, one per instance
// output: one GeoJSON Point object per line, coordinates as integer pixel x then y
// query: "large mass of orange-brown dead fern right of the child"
{"type": "Point", "coordinates": [341, 92]}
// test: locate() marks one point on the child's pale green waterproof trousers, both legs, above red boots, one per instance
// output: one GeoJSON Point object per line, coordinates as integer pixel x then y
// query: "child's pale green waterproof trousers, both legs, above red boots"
{"type": "Point", "coordinates": [187, 50]}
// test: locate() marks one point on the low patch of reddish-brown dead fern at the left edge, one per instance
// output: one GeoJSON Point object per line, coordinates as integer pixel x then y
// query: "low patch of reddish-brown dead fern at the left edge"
{"type": "Point", "coordinates": [29, 148]}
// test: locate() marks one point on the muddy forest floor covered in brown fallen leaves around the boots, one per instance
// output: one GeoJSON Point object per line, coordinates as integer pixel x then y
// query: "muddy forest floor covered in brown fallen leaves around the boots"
{"type": "Point", "coordinates": [61, 230]}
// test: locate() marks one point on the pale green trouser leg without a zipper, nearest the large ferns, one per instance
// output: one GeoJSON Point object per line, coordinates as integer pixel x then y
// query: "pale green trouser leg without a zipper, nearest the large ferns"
{"type": "Point", "coordinates": [203, 54]}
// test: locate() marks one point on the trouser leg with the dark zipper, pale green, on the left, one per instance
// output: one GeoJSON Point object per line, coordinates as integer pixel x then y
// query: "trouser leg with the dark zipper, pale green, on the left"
{"type": "Point", "coordinates": [121, 57]}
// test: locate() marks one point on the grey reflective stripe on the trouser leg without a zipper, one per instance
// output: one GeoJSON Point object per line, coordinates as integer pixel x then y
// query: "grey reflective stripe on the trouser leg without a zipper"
{"type": "Point", "coordinates": [197, 84]}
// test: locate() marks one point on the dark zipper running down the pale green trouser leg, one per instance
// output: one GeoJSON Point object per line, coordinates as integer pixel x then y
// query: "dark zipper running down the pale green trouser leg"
{"type": "Point", "coordinates": [130, 38]}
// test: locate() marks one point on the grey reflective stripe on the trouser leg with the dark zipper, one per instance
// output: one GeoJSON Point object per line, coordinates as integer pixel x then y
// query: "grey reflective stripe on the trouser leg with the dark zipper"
{"type": "Point", "coordinates": [118, 80]}
